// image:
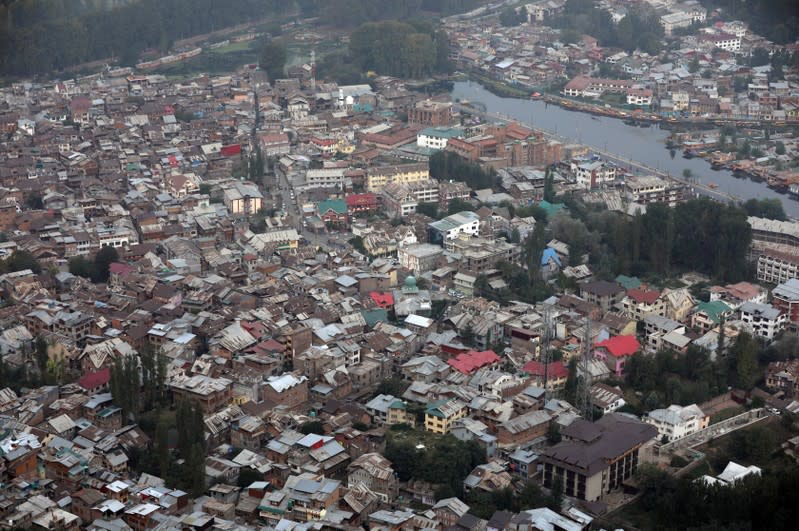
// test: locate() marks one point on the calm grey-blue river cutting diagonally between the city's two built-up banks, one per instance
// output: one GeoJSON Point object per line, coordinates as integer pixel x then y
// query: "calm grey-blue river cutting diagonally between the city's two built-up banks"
{"type": "Point", "coordinates": [644, 144]}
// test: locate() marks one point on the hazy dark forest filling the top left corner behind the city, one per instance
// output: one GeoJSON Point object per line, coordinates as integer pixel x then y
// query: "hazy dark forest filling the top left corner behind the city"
{"type": "Point", "coordinates": [70, 36]}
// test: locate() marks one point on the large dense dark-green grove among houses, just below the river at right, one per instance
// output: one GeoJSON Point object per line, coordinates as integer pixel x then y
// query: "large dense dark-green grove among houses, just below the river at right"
{"type": "Point", "coordinates": [697, 235]}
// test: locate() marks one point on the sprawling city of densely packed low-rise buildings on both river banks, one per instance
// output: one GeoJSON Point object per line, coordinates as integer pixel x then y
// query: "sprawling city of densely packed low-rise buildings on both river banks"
{"type": "Point", "coordinates": [251, 301]}
